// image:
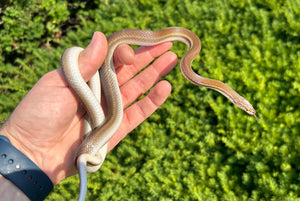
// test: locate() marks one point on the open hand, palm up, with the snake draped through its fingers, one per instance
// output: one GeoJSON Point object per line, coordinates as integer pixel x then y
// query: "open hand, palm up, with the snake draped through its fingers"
{"type": "Point", "coordinates": [46, 125]}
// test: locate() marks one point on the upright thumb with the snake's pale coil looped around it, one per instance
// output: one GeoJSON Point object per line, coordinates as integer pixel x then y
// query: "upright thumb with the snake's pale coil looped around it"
{"type": "Point", "coordinates": [92, 57]}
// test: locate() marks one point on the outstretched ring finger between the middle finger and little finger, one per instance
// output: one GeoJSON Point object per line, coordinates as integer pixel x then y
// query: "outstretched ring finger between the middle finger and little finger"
{"type": "Point", "coordinates": [137, 86]}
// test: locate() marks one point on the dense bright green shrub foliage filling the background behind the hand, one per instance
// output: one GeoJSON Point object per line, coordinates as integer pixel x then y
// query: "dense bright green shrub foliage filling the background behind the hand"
{"type": "Point", "coordinates": [197, 146]}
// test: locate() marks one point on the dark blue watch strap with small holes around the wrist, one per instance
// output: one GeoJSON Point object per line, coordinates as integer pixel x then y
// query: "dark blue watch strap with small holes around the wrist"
{"type": "Point", "coordinates": [25, 174]}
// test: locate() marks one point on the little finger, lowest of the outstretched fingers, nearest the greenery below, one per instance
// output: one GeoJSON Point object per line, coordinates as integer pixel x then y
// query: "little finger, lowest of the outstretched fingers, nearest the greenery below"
{"type": "Point", "coordinates": [138, 112]}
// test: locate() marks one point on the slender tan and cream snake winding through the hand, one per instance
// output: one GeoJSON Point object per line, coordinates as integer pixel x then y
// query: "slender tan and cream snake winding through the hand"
{"type": "Point", "coordinates": [92, 150]}
